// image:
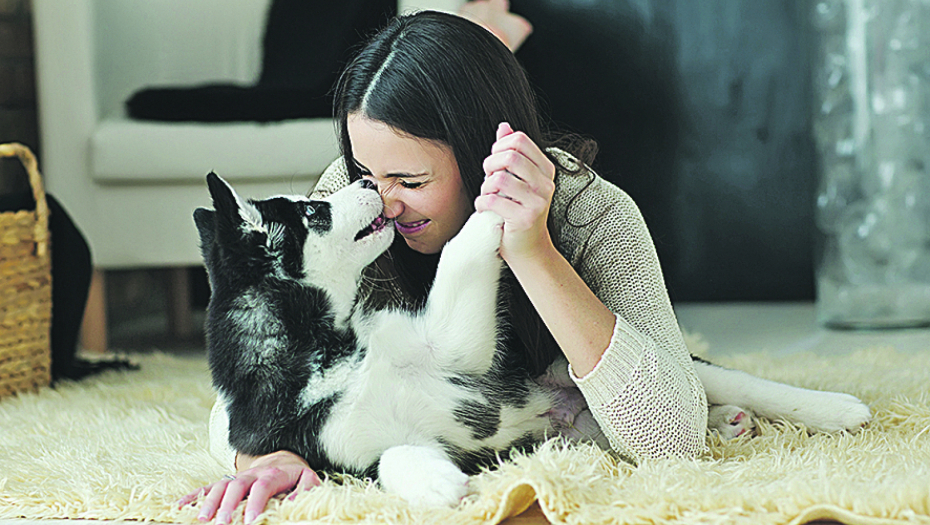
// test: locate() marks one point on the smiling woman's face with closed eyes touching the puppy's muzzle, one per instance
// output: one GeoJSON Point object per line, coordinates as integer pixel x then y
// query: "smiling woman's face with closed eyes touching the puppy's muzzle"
{"type": "Point", "coordinates": [418, 179]}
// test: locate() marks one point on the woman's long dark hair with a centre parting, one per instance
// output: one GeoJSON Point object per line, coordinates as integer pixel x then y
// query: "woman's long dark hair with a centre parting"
{"type": "Point", "coordinates": [442, 78]}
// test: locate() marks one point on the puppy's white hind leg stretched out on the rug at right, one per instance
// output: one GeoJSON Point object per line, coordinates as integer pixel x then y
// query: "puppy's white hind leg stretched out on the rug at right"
{"type": "Point", "coordinates": [817, 411]}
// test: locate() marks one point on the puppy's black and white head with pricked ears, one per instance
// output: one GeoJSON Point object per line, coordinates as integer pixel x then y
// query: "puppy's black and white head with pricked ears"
{"type": "Point", "coordinates": [322, 243]}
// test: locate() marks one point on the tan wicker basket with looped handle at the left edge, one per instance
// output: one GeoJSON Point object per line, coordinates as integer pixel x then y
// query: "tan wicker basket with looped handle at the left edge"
{"type": "Point", "coordinates": [25, 288]}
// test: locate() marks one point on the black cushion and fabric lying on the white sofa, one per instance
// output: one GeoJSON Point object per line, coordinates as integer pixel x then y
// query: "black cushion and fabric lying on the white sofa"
{"type": "Point", "coordinates": [305, 47]}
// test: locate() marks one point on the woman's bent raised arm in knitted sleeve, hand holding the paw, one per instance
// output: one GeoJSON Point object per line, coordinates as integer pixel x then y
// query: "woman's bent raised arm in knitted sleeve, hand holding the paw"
{"type": "Point", "coordinates": [607, 309]}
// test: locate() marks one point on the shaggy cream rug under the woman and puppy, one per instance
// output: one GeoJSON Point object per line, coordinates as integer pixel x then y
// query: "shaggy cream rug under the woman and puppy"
{"type": "Point", "coordinates": [127, 446]}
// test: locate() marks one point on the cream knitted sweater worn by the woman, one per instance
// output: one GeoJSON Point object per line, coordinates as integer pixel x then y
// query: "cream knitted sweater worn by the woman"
{"type": "Point", "coordinates": [644, 392]}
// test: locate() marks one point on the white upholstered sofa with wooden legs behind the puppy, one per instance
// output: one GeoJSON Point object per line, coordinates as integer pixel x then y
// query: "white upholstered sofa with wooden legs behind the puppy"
{"type": "Point", "coordinates": [132, 186]}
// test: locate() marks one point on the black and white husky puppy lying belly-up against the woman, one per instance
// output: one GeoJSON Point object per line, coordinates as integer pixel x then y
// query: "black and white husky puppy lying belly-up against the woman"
{"type": "Point", "coordinates": [416, 399]}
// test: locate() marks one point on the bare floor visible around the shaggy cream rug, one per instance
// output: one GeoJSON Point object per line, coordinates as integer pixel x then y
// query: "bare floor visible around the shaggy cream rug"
{"type": "Point", "coordinates": [728, 328]}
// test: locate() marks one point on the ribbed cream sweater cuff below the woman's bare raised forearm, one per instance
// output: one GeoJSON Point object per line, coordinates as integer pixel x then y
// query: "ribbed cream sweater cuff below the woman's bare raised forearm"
{"type": "Point", "coordinates": [616, 366]}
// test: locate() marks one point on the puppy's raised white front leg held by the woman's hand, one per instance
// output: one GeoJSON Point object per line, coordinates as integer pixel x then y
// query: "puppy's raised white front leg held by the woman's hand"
{"type": "Point", "coordinates": [460, 318]}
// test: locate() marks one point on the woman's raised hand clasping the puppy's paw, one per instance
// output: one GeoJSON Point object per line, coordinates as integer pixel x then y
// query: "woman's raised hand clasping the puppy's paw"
{"type": "Point", "coordinates": [518, 186]}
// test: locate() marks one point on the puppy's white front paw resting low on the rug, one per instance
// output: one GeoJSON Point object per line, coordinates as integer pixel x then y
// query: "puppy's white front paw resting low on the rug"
{"type": "Point", "coordinates": [423, 476]}
